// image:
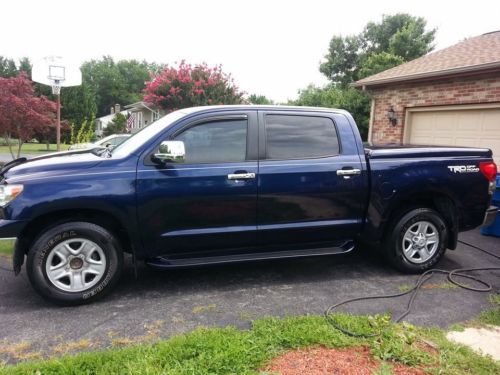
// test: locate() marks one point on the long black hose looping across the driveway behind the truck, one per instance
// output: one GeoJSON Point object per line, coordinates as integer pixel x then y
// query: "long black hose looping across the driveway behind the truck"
{"type": "Point", "coordinates": [422, 279]}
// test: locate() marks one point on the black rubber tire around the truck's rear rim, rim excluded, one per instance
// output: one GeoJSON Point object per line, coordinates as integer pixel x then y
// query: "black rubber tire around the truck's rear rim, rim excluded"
{"type": "Point", "coordinates": [395, 246]}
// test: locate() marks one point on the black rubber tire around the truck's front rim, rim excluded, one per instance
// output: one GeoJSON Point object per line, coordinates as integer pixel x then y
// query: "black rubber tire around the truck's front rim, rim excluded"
{"type": "Point", "coordinates": [42, 246]}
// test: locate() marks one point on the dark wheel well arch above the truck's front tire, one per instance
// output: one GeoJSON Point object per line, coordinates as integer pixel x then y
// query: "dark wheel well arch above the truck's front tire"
{"type": "Point", "coordinates": [101, 218]}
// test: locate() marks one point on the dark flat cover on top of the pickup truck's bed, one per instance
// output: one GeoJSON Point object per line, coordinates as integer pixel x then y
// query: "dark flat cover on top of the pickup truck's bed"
{"type": "Point", "coordinates": [421, 151]}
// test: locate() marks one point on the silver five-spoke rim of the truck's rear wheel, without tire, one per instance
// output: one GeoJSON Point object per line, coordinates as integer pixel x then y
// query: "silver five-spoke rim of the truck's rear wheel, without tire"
{"type": "Point", "coordinates": [420, 242]}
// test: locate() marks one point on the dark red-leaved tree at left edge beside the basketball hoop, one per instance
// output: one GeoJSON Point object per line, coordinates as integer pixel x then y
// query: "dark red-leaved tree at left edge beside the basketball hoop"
{"type": "Point", "coordinates": [22, 114]}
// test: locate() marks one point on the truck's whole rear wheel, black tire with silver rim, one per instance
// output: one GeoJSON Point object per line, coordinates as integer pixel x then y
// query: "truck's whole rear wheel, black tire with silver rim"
{"type": "Point", "coordinates": [417, 240]}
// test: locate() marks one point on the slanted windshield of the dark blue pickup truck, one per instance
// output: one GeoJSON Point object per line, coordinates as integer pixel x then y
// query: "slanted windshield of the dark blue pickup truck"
{"type": "Point", "coordinates": [138, 139]}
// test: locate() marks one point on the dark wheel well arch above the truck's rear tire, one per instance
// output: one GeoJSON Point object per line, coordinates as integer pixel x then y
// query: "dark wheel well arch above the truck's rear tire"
{"type": "Point", "coordinates": [439, 202]}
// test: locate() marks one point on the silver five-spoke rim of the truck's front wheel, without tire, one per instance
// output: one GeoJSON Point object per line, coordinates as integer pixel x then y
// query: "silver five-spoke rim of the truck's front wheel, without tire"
{"type": "Point", "coordinates": [75, 265]}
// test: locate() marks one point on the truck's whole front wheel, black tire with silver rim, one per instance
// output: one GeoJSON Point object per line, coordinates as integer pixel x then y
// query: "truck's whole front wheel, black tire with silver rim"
{"type": "Point", "coordinates": [74, 263]}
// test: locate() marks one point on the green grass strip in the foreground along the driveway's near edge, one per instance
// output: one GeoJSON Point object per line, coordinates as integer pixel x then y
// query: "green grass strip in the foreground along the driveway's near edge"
{"type": "Point", "coordinates": [232, 351]}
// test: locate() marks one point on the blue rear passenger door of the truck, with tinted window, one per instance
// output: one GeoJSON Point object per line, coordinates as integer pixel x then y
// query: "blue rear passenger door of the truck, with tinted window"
{"type": "Point", "coordinates": [312, 181]}
